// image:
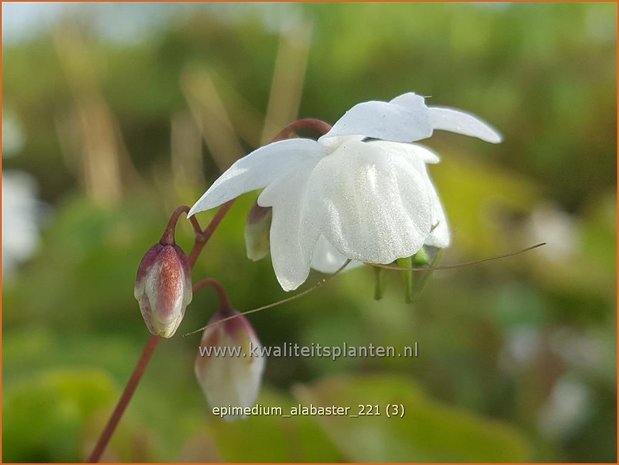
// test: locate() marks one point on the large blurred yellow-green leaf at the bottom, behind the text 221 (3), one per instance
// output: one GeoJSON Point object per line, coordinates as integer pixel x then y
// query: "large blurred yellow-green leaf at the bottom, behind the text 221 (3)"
{"type": "Point", "coordinates": [426, 431]}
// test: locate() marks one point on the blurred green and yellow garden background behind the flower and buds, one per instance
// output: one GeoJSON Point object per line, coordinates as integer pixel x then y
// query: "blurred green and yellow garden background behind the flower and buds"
{"type": "Point", "coordinates": [114, 114]}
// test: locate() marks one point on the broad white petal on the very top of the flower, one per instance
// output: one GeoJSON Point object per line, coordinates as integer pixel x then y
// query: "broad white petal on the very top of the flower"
{"type": "Point", "coordinates": [404, 119]}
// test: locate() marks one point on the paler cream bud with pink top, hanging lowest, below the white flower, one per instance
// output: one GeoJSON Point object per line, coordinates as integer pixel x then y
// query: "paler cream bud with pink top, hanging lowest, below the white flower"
{"type": "Point", "coordinates": [230, 362]}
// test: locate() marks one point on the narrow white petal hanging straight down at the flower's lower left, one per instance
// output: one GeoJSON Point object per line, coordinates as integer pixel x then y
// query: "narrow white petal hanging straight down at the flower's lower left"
{"type": "Point", "coordinates": [291, 240]}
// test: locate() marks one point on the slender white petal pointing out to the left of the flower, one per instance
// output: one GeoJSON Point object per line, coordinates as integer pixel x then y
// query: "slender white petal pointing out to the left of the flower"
{"type": "Point", "coordinates": [257, 169]}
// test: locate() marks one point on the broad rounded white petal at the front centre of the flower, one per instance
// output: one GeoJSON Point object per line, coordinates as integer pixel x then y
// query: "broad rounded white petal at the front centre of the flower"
{"type": "Point", "coordinates": [372, 205]}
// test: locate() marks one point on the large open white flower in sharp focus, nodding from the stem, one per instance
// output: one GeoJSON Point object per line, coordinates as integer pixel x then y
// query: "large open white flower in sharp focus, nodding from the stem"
{"type": "Point", "coordinates": [360, 192]}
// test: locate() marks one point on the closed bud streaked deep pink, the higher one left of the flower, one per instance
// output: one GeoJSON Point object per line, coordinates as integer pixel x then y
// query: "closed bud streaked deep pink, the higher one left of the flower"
{"type": "Point", "coordinates": [163, 288]}
